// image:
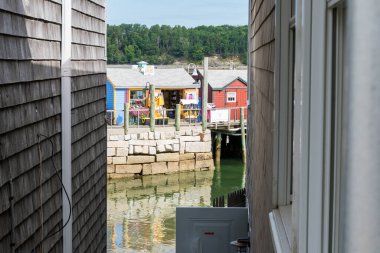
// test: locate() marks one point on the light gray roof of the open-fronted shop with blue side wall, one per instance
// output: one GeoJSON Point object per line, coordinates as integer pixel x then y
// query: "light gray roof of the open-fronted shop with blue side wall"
{"type": "Point", "coordinates": [162, 78]}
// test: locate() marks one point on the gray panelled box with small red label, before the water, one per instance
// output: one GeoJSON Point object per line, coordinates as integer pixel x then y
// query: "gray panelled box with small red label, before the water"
{"type": "Point", "coordinates": [208, 230]}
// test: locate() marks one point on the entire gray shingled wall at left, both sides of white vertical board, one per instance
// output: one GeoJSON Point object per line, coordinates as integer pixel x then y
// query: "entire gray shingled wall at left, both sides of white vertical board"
{"type": "Point", "coordinates": [30, 103]}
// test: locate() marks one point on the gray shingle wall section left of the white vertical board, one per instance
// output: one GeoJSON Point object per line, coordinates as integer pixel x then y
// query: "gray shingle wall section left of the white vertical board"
{"type": "Point", "coordinates": [30, 103]}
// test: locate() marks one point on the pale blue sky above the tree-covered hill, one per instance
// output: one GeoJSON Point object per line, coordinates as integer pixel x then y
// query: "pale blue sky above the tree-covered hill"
{"type": "Point", "coordinates": [178, 12]}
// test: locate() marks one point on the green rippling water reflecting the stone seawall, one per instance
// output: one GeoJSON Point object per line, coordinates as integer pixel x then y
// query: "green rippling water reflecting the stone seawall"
{"type": "Point", "coordinates": [141, 211]}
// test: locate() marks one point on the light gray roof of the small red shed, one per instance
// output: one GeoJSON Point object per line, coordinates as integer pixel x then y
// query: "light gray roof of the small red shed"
{"type": "Point", "coordinates": [220, 78]}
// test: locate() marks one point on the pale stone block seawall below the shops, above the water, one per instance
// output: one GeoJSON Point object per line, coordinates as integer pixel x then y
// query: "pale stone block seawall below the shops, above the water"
{"type": "Point", "coordinates": [161, 152]}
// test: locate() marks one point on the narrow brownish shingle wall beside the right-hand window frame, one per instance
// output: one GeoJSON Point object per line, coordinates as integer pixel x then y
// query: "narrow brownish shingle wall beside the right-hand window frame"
{"type": "Point", "coordinates": [260, 132]}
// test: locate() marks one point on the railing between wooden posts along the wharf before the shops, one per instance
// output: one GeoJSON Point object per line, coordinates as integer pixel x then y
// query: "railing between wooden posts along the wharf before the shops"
{"type": "Point", "coordinates": [140, 117]}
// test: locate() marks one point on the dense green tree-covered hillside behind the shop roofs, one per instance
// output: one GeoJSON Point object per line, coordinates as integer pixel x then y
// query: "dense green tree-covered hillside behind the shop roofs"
{"type": "Point", "coordinates": [129, 43]}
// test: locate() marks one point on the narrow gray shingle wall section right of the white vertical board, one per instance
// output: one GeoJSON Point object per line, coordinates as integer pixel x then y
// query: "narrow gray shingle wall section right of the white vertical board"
{"type": "Point", "coordinates": [88, 126]}
